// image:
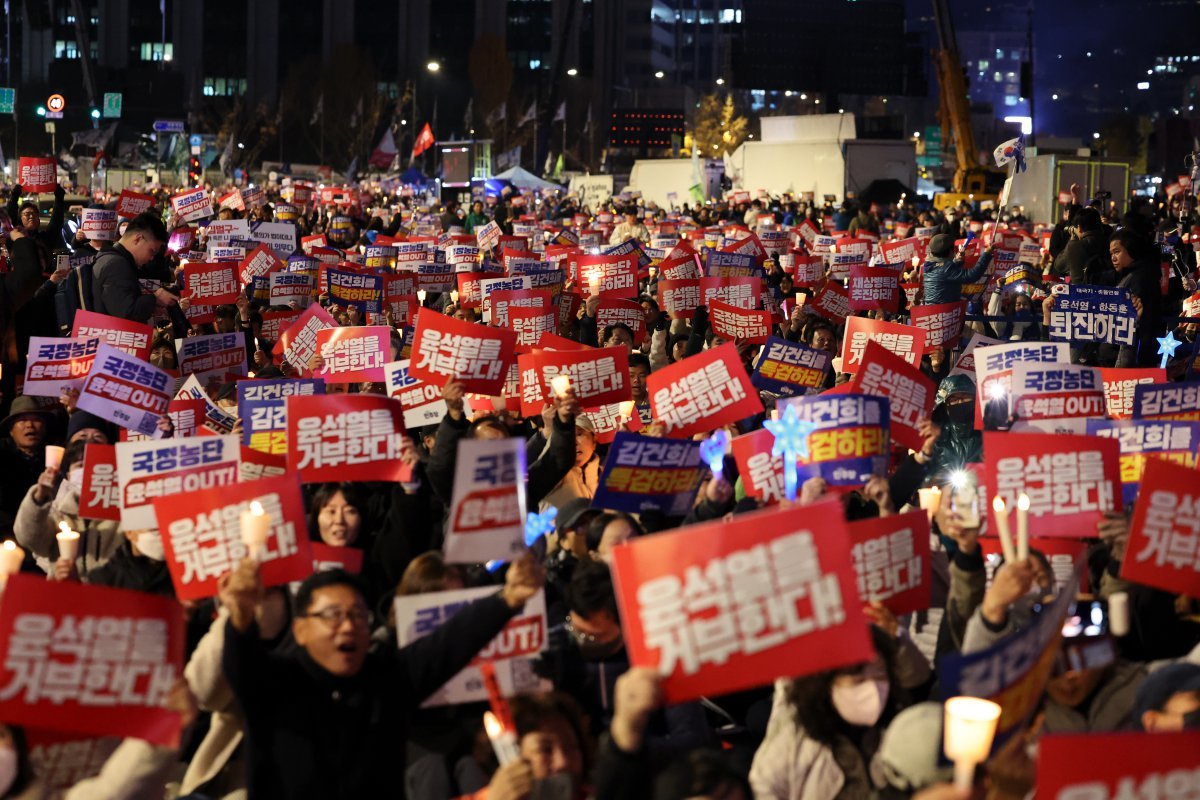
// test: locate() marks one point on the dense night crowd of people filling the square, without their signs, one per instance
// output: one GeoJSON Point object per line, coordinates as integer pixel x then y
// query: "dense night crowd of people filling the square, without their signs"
{"type": "Point", "coordinates": [302, 691]}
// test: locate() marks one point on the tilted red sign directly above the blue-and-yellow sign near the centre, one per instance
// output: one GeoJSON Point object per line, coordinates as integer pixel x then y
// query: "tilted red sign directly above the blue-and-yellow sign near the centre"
{"type": "Point", "coordinates": [703, 393]}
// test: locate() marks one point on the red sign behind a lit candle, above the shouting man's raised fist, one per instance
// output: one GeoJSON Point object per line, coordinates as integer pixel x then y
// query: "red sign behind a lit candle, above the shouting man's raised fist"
{"type": "Point", "coordinates": [202, 534]}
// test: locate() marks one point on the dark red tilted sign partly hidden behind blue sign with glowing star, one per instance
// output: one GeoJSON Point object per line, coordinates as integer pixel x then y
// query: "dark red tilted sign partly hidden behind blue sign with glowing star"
{"type": "Point", "coordinates": [909, 392]}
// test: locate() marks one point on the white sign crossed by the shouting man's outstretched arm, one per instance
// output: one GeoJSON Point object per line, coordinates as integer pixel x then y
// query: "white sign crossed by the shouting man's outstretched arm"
{"type": "Point", "coordinates": [512, 653]}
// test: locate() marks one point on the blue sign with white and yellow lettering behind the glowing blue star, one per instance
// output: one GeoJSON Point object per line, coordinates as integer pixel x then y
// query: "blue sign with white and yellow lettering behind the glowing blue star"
{"type": "Point", "coordinates": [850, 442]}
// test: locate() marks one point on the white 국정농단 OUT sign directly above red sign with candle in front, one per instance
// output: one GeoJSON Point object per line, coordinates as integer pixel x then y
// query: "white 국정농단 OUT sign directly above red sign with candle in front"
{"type": "Point", "coordinates": [148, 471]}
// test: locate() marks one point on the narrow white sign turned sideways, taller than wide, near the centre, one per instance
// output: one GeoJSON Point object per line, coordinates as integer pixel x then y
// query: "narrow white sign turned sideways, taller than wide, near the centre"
{"type": "Point", "coordinates": [488, 510]}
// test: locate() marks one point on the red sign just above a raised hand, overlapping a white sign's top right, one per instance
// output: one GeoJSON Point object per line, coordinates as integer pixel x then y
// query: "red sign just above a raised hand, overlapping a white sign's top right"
{"type": "Point", "coordinates": [449, 350]}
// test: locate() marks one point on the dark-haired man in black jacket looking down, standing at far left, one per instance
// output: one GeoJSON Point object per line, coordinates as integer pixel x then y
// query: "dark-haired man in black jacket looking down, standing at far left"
{"type": "Point", "coordinates": [116, 290]}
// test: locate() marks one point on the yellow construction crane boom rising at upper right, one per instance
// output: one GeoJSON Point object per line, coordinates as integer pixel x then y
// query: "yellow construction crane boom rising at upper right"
{"type": "Point", "coordinates": [973, 181]}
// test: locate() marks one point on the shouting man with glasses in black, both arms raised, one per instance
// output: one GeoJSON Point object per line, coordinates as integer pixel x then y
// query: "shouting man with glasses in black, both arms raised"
{"type": "Point", "coordinates": [329, 720]}
